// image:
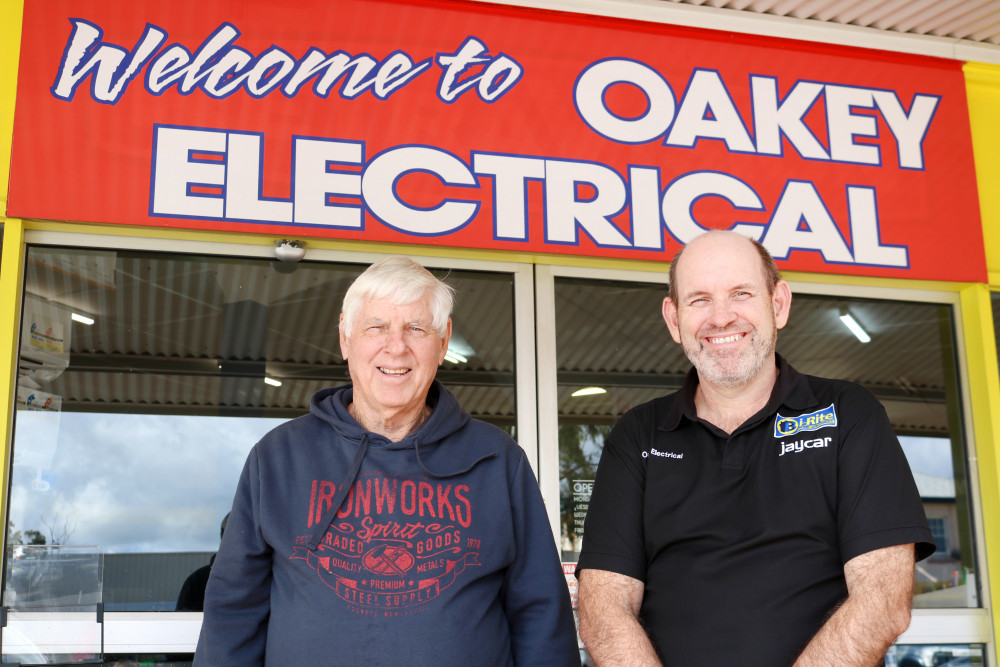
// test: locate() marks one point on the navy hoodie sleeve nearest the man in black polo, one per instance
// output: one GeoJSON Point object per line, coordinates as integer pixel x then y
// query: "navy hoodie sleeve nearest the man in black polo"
{"type": "Point", "coordinates": [535, 595]}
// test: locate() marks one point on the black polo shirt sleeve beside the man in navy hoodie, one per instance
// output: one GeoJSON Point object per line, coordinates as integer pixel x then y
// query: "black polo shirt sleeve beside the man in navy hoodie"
{"type": "Point", "coordinates": [613, 533]}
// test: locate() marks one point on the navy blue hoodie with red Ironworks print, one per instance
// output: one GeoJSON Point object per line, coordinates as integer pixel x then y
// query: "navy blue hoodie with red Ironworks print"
{"type": "Point", "coordinates": [440, 553]}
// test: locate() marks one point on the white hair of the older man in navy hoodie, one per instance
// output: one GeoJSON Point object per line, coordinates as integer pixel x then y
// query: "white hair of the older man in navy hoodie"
{"type": "Point", "coordinates": [400, 281]}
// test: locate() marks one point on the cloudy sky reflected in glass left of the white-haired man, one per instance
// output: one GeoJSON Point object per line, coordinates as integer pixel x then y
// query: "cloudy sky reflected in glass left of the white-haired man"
{"type": "Point", "coordinates": [129, 483]}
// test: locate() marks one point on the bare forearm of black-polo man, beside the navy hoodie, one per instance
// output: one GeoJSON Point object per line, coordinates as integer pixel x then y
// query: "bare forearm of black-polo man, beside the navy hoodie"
{"type": "Point", "coordinates": [609, 619]}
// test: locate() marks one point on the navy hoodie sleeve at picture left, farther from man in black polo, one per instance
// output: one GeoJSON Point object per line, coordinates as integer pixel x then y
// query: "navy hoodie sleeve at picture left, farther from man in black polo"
{"type": "Point", "coordinates": [237, 598]}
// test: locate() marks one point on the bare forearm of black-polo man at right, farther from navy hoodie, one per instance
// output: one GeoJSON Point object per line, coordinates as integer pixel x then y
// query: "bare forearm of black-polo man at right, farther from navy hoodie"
{"type": "Point", "coordinates": [875, 612]}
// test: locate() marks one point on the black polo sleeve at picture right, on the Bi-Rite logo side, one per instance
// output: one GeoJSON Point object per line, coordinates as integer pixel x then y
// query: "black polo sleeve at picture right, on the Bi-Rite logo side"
{"type": "Point", "coordinates": [879, 505]}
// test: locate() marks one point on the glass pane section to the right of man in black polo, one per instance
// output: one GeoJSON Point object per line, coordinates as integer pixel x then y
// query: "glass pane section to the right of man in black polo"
{"type": "Point", "coordinates": [910, 366]}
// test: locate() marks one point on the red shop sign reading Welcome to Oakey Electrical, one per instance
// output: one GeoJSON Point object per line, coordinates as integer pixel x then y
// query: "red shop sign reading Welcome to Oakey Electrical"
{"type": "Point", "coordinates": [479, 126]}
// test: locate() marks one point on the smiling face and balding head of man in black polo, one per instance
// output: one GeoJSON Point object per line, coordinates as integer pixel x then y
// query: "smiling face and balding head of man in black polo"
{"type": "Point", "coordinates": [724, 318]}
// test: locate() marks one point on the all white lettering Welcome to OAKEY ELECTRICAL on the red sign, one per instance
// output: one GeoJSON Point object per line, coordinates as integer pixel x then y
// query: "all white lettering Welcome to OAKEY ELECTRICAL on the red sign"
{"type": "Point", "coordinates": [218, 174]}
